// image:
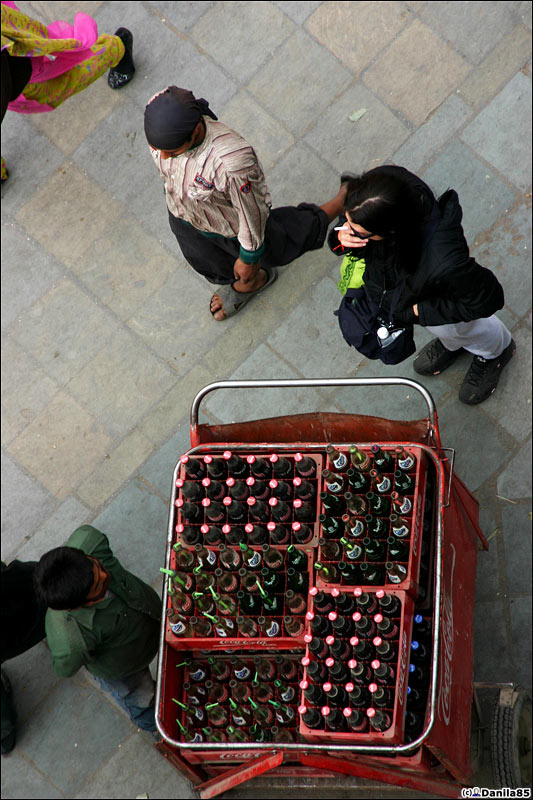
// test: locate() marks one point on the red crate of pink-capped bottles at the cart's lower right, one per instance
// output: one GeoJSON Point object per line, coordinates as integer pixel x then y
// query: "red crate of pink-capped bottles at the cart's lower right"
{"type": "Point", "coordinates": [394, 734]}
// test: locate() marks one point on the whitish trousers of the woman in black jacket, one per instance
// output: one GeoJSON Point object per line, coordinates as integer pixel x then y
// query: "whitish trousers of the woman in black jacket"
{"type": "Point", "coordinates": [487, 338]}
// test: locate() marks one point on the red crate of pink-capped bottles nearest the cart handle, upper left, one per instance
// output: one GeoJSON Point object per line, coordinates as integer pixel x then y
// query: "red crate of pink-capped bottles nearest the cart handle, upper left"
{"type": "Point", "coordinates": [316, 480]}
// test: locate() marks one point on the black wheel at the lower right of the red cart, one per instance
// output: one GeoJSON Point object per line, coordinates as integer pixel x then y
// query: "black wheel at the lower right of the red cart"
{"type": "Point", "coordinates": [511, 739]}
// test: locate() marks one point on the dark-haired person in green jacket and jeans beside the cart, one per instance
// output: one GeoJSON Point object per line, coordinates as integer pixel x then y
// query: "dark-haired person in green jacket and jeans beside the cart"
{"type": "Point", "coordinates": [102, 617]}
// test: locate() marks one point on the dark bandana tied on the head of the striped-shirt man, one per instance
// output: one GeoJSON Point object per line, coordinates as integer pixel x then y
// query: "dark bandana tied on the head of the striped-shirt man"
{"type": "Point", "coordinates": [171, 117]}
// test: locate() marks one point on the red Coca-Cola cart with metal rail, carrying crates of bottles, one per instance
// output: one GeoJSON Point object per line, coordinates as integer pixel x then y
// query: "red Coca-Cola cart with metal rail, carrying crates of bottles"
{"type": "Point", "coordinates": [438, 761]}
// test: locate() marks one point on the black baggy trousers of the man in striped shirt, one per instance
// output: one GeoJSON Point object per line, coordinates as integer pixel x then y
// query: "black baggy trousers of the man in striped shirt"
{"type": "Point", "coordinates": [290, 232]}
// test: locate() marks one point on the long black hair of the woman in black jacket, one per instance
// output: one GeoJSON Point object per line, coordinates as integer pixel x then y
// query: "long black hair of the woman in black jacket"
{"type": "Point", "coordinates": [385, 205]}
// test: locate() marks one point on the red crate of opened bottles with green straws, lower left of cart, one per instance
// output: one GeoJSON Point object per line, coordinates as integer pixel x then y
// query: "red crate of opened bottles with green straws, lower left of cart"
{"type": "Point", "coordinates": [175, 675]}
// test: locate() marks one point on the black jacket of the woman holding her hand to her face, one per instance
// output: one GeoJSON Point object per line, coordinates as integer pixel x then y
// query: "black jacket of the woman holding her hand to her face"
{"type": "Point", "coordinates": [447, 284]}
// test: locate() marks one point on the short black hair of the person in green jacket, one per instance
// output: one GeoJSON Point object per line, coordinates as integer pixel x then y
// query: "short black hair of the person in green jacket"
{"type": "Point", "coordinates": [63, 578]}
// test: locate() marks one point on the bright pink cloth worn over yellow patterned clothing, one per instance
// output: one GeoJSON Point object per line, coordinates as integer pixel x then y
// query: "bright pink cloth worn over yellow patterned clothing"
{"type": "Point", "coordinates": [47, 67]}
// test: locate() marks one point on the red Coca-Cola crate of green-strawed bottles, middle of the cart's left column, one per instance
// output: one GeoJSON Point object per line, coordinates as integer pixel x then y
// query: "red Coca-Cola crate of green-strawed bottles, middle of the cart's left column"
{"type": "Point", "coordinates": [280, 640]}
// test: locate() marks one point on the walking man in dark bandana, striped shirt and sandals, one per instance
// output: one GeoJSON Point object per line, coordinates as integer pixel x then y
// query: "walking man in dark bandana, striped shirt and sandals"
{"type": "Point", "coordinates": [219, 205]}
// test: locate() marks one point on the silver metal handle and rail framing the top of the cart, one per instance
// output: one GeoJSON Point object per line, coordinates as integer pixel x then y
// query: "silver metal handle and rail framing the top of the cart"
{"type": "Point", "coordinates": [441, 478]}
